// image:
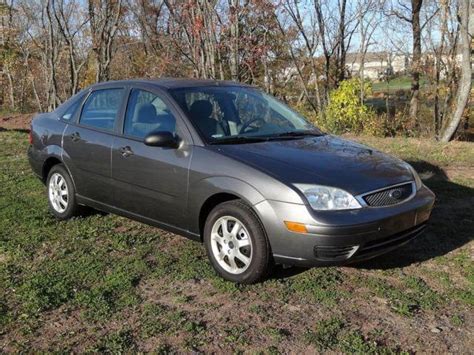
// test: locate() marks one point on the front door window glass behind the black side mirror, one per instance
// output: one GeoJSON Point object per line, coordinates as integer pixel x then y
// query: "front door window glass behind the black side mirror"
{"type": "Point", "coordinates": [147, 112]}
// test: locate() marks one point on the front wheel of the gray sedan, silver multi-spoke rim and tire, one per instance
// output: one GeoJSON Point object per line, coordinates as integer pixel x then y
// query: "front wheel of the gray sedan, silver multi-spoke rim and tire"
{"type": "Point", "coordinates": [241, 254]}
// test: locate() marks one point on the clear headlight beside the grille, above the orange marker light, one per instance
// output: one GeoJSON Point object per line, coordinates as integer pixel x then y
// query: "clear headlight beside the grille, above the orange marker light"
{"type": "Point", "coordinates": [325, 198]}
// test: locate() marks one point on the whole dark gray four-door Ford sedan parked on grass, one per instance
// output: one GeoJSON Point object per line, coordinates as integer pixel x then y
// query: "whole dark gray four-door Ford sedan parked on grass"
{"type": "Point", "coordinates": [228, 165]}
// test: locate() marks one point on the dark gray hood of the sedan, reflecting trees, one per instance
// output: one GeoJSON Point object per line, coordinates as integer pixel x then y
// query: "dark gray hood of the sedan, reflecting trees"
{"type": "Point", "coordinates": [325, 160]}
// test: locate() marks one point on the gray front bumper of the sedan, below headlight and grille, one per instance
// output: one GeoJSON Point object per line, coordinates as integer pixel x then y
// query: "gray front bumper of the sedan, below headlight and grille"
{"type": "Point", "coordinates": [341, 237]}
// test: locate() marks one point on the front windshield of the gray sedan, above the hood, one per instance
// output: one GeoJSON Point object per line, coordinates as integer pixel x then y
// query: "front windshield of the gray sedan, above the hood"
{"type": "Point", "coordinates": [238, 114]}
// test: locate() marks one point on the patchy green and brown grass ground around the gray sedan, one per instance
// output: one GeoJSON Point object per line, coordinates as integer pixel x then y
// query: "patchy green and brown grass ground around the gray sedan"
{"type": "Point", "coordinates": [105, 283]}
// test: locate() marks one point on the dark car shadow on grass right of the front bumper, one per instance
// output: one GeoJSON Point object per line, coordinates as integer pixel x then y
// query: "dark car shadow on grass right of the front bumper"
{"type": "Point", "coordinates": [450, 226]}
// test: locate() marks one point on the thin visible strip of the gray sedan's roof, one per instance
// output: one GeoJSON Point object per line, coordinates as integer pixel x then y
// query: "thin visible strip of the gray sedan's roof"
{"type": "Point", "coordinates": [172, 83]}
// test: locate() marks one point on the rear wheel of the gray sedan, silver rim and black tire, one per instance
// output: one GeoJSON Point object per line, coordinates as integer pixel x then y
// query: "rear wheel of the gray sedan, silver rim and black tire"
{"type": "Point", "coordinates": [61, 193]}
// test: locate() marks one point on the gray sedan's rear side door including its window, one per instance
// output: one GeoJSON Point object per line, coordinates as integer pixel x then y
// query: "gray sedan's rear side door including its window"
{"type": "Point", "coordinates": [87, 143]}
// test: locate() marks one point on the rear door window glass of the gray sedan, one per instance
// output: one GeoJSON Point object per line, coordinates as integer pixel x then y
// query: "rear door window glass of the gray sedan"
{"type": "Point", "coordinates": [101, 108]}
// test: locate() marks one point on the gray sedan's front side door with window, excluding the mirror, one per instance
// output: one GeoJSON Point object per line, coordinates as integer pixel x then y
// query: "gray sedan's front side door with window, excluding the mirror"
{"type": "Point", "coordinates": [151, 181]}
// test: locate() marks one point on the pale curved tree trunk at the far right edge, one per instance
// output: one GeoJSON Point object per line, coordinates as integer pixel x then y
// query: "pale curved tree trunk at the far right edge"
{"type": "Point", "coordinates": [464, 88]}
